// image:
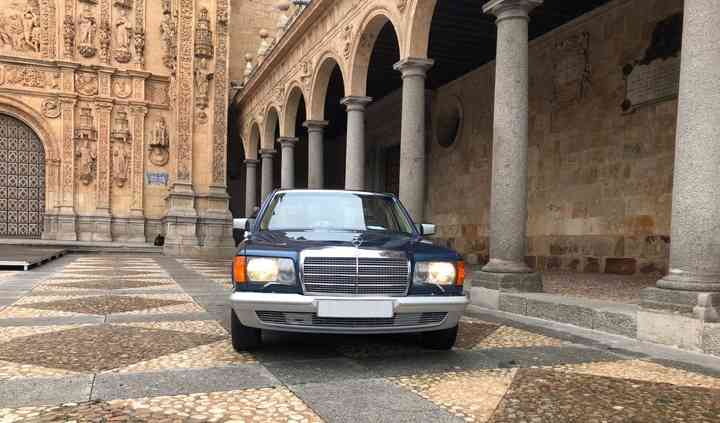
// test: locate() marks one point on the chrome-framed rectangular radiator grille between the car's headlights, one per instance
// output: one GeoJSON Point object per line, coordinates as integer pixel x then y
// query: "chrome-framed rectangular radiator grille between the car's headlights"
{"type": "Point", "coordinates": [384, 276]}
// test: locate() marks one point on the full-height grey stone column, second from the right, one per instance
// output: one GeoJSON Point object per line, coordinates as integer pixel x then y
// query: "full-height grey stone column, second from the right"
{"type": "Point", "coordinates": [506, 269]}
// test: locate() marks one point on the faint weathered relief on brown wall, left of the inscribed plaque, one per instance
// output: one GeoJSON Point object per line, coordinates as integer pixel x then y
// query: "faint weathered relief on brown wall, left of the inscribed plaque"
{"type": "Point", "coordinates": [572, 70]}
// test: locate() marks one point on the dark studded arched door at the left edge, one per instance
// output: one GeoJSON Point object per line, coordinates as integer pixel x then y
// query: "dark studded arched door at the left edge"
{"type": "Point", "coordinates": [22, 180]}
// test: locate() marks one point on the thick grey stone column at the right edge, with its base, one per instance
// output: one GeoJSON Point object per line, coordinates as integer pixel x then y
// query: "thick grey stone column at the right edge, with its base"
{"type": "Point", "coordinates": [693, 283]}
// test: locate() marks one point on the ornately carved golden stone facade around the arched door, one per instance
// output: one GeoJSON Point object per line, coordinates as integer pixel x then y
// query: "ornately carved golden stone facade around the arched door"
{"type": "Point", "coordinates": [95, 80]}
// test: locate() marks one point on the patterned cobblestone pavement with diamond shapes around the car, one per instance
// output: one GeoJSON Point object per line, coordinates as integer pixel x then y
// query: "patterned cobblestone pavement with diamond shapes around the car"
{"type": "Point", "coordinates": [92, 338]}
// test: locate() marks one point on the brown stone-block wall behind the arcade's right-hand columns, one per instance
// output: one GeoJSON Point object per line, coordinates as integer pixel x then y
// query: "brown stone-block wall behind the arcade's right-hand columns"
{"type": "Point", "coordinates": [600, 180]}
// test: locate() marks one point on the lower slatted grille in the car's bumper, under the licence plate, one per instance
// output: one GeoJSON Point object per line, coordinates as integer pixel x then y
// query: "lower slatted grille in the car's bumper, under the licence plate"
{"type": "Point", "coordinates": [312, 320]}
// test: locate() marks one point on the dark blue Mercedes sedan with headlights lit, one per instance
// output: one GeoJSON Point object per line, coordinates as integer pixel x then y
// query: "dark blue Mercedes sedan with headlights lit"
{"type": "Point", "coordinates": [343, 262]}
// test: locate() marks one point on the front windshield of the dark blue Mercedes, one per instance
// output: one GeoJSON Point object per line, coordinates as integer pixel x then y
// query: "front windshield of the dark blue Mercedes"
{"type": "Point", "coordinates": [340, 211]}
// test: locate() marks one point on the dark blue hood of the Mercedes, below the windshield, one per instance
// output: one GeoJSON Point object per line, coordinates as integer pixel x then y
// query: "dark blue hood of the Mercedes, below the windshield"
{"type": "Point", "coordinates": [296, 241]}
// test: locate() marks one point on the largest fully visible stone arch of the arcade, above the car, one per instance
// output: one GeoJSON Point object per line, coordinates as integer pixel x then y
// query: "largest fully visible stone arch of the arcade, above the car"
{"type": "Point", "coordinates": [373, 22]}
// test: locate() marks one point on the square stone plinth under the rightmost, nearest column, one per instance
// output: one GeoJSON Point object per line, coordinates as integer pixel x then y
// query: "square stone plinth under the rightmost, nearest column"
{"type": "Point", "coordinates": [704, 306]}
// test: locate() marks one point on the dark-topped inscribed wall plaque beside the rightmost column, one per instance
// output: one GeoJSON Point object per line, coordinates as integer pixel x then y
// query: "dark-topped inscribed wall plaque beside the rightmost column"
{"type": "Point", "coordinates": [655, 77]}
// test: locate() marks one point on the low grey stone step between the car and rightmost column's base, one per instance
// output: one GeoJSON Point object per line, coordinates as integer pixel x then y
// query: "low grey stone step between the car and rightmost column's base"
{"type": "Point", "coordinates": [604, 316]}
